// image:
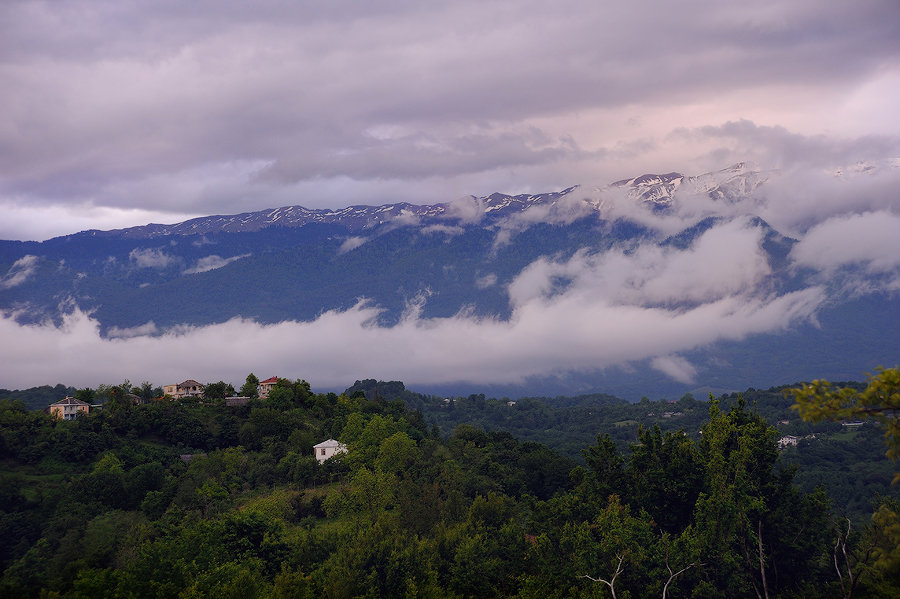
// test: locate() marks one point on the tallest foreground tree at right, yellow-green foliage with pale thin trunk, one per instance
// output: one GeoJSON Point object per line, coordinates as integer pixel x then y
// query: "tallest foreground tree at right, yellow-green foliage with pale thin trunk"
{"type": "Point", "coordinates": [763, 536]}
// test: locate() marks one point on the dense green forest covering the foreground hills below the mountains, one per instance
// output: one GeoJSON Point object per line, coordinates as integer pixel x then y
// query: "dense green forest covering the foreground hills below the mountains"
{"type": "Point", "coordinates": [441, 497]}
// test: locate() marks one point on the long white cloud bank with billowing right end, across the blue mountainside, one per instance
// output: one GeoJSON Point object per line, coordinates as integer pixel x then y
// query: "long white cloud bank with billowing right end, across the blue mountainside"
{"type": "Point", "coordinates": [589, 312]}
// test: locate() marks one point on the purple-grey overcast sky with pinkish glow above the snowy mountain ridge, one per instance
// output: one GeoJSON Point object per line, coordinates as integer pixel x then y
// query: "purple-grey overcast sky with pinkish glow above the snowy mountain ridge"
{"type": "Point", "coordinates": [123, 113]}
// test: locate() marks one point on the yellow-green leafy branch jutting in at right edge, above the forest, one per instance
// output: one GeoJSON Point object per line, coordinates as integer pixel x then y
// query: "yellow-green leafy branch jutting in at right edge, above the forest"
{"type": "Point", "coordinates": [879, 401]}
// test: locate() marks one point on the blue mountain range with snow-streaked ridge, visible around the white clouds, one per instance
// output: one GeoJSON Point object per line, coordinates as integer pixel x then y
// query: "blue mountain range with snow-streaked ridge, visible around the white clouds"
{"type": "Point", "coordinates": [461, 257]}
